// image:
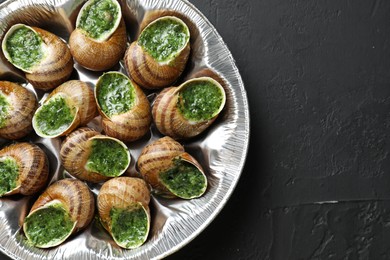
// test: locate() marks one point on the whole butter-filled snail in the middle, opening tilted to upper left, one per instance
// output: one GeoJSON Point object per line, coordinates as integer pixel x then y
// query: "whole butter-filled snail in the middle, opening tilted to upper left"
{"type": "Point", "coordinates": [124, 108]}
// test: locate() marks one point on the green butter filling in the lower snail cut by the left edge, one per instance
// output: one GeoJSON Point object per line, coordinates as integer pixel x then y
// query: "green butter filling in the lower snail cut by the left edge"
{"type": "Point", "coordinates": [9, 174]}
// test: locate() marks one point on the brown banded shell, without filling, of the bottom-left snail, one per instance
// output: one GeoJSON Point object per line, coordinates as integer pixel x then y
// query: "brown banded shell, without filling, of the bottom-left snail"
{"type": "Point", "coordinates": [74, 197]}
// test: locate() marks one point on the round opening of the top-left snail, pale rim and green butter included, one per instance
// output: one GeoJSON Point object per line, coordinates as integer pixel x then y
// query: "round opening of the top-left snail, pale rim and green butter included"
{"type": "Point", "coordinates": [23, 47]}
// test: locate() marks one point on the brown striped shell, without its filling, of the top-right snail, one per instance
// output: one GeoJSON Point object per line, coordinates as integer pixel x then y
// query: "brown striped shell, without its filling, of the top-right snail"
{"type": "Point", "coordinates": [148, 71]}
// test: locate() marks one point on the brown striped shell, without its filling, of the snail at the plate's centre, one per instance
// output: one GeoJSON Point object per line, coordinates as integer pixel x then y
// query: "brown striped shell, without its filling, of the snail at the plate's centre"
{"type": "Point", "coordinates": [131, 125]}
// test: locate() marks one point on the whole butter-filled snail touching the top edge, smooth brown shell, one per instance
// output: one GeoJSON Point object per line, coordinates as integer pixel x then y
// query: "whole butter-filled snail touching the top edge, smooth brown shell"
{"type": "Point", "coordinates": [99, 40]}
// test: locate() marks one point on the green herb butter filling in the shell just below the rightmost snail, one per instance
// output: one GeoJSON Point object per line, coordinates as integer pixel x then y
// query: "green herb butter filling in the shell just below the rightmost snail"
{"type": "Point", "coordinates": [184, 180]}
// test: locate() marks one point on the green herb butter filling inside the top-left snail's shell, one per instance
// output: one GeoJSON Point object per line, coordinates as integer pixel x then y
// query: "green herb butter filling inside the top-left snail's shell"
{"type": "Point", "coordinates": [24, 47]}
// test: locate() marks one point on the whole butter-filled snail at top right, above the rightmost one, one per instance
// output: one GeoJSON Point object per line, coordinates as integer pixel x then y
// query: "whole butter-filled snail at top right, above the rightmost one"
{"type": "Point", "coordinates": [160, 54]}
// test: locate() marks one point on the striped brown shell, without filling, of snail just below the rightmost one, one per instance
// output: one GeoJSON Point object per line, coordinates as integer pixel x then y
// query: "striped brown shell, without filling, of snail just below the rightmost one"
{"type": "Point", "coordinates": [159, 157]}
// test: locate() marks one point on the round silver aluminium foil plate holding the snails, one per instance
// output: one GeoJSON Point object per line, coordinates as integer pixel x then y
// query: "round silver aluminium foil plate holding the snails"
{"type": "Point", "coordinates": [221, 150]}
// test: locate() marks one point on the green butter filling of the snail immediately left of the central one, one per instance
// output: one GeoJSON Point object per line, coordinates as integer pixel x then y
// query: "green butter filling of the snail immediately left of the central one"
{"type": "Point", "coordinates": [55, 116]}
